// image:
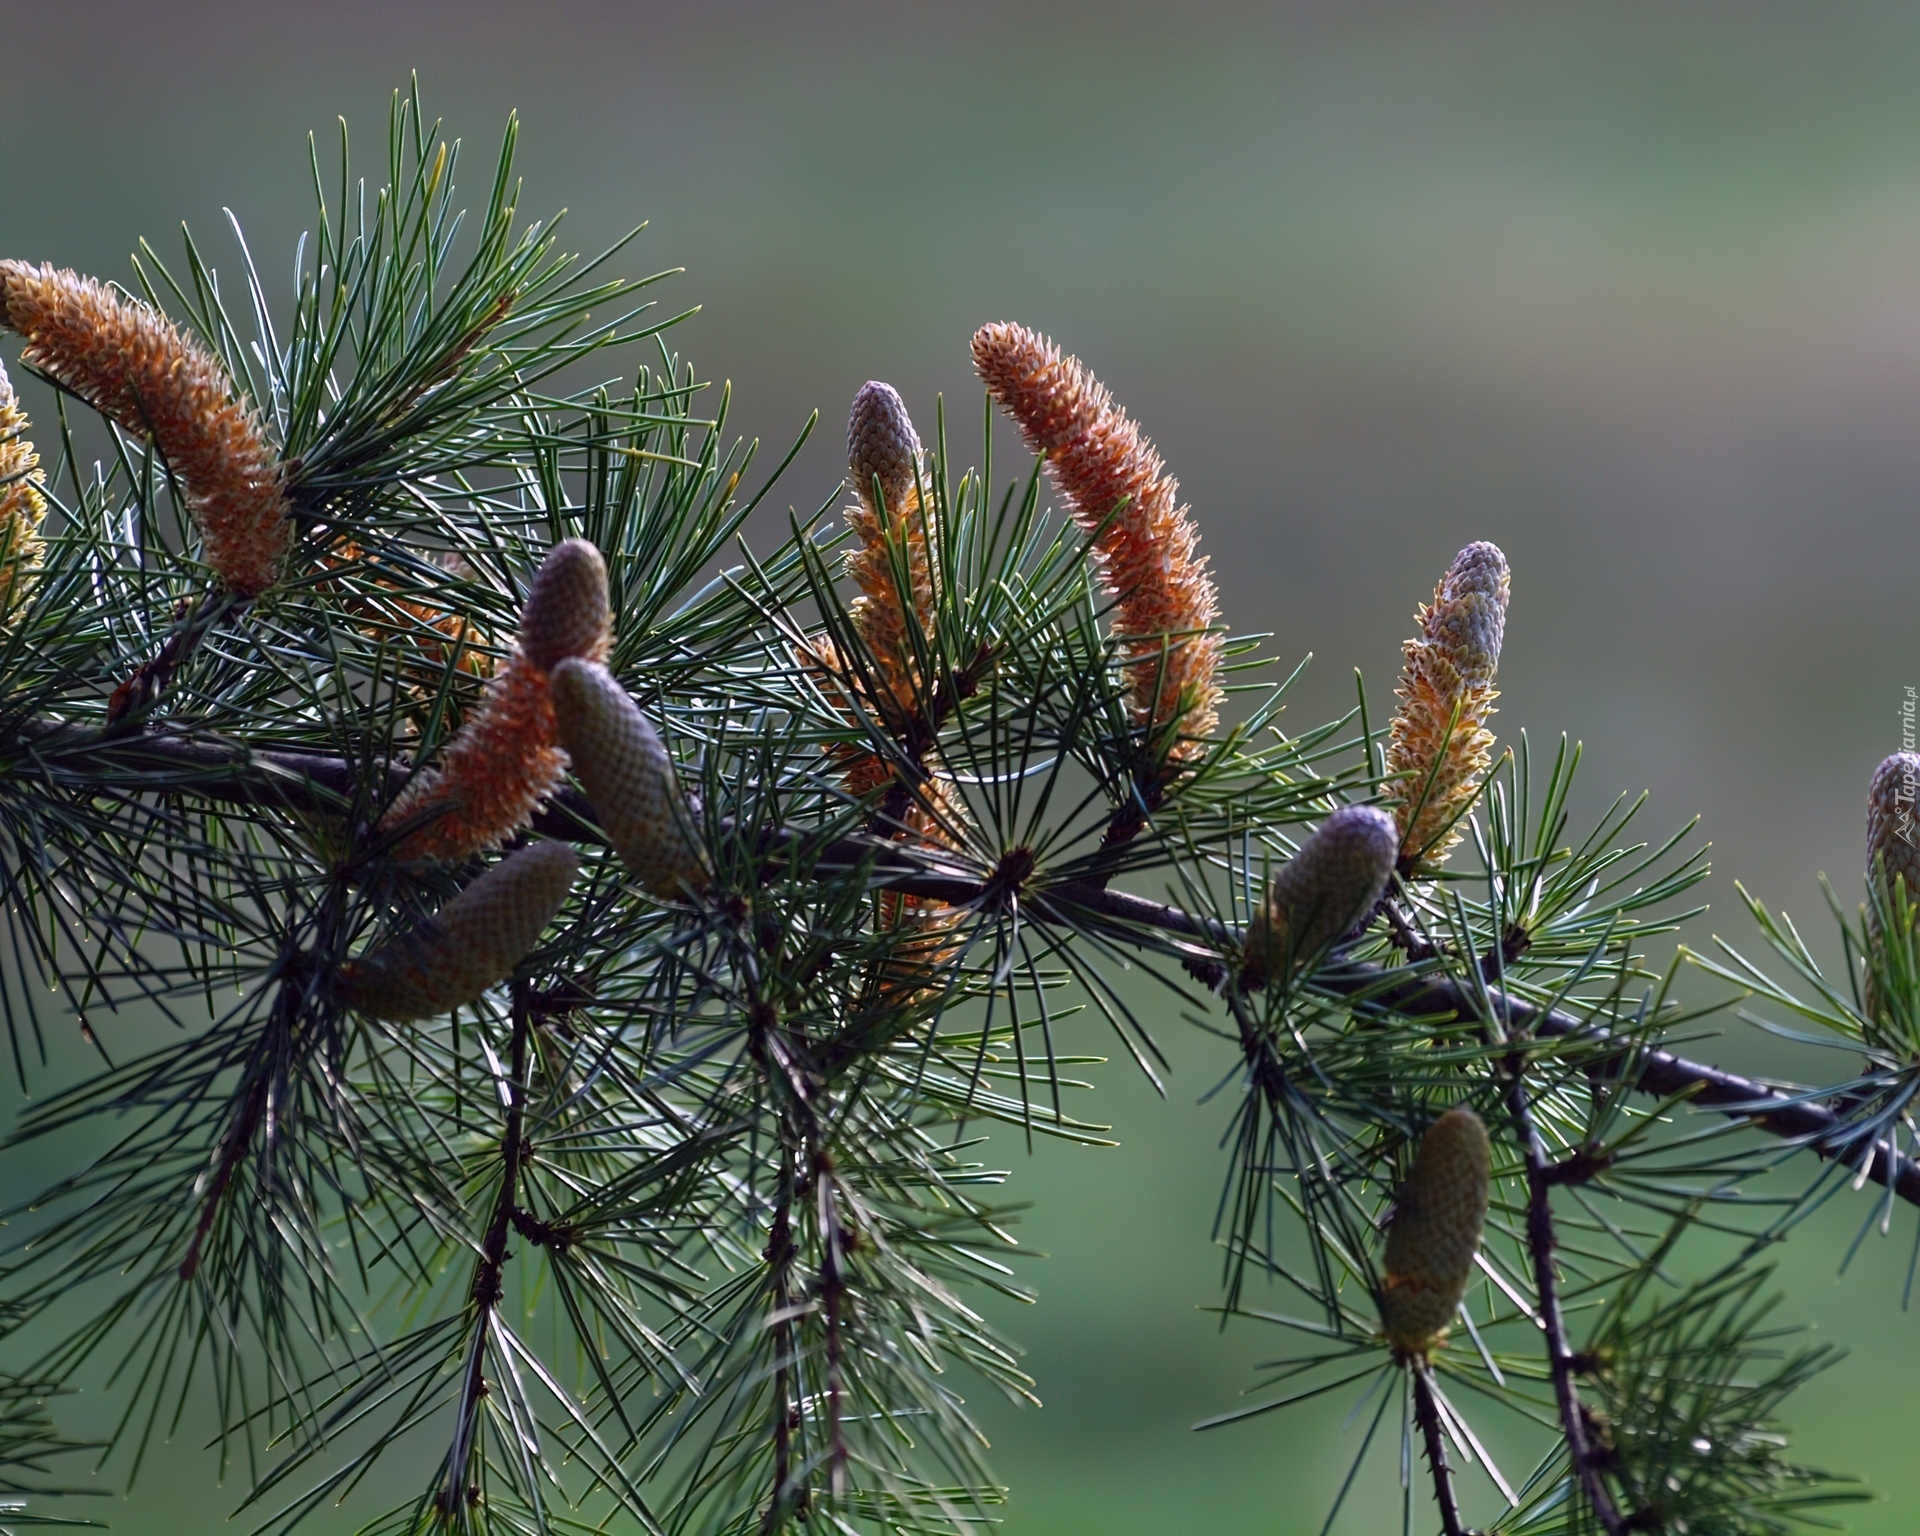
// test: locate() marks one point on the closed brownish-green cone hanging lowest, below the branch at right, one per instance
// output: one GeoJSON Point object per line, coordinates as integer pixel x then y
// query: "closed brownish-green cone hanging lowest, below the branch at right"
{"type": "Point", "coordinates": [1435, 1236]}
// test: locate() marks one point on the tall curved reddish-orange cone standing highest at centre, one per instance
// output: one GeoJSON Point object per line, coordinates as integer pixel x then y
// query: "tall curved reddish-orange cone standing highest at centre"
{"type": "Point", "coordinates": [1101, 460]}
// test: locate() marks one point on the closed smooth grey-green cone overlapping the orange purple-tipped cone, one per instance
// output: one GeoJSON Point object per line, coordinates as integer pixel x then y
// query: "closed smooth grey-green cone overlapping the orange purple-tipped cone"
{"type": "Point", "coordinates": [629, 777]}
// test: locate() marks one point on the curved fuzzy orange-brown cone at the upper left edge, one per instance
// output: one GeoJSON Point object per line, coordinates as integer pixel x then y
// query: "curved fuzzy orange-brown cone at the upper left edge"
{"type": "Point", "coordinates": [153, 379]}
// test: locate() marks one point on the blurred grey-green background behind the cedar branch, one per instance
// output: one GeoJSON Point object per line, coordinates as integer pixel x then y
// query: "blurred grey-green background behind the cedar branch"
{"type": "Point", "coordinates": [1631, 289]}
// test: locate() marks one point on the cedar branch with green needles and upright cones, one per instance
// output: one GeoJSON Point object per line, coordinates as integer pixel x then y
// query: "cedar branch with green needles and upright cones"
{"type": "Point", "coordinates": [924, 794]}
